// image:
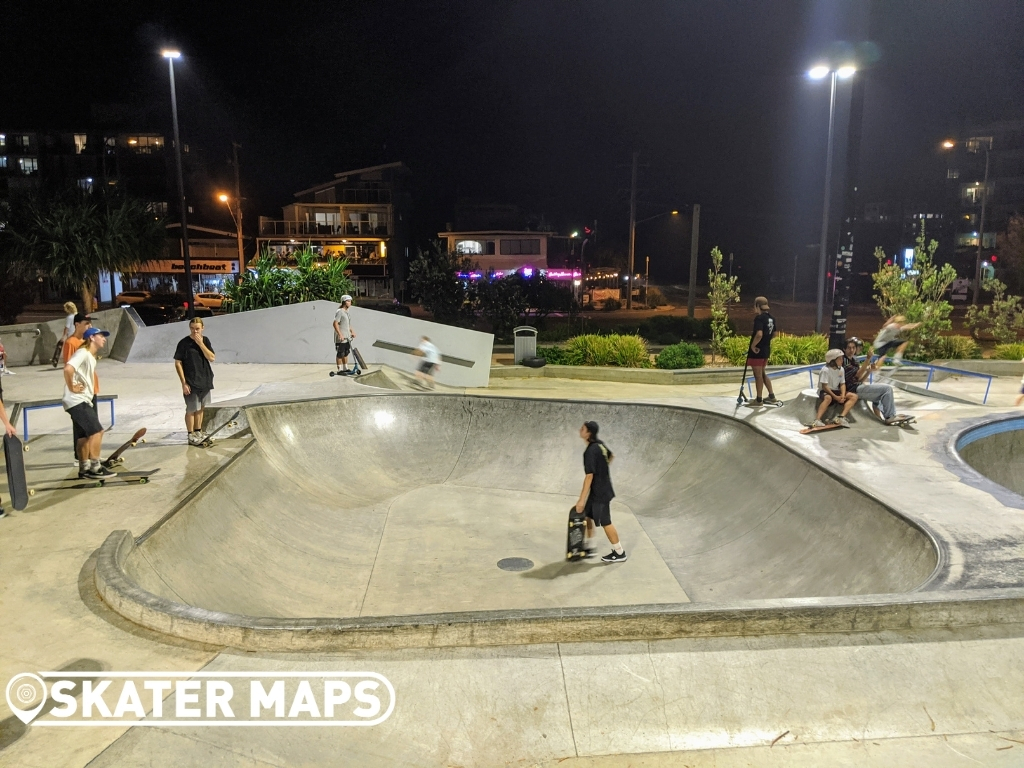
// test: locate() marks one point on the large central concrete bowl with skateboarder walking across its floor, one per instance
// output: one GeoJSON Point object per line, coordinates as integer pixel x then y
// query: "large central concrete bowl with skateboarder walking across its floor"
{"type": "Point", "coordinates": [381, 521]}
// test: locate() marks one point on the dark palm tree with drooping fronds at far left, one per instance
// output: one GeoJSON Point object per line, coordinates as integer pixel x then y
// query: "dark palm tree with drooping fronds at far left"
{"type": "Point", "coordinates": [74, 236]}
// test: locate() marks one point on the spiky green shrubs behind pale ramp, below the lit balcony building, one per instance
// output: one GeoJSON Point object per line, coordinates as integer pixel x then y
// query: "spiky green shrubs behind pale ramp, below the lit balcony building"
{"type": "Point", "coordinates": [268, 283]}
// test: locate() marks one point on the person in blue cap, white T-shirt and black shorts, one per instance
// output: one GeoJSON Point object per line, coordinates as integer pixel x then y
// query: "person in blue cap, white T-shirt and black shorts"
{"type": "Point", "coordinates": [80, 379]}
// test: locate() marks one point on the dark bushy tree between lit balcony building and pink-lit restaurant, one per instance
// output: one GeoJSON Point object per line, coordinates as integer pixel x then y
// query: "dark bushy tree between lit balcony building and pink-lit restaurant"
{"type": "Point", "coordinates": [437, 278]}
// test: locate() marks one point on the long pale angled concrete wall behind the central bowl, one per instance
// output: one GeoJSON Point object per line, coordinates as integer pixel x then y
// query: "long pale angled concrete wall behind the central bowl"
{"type": "Point", "coordinates": [304, 334]}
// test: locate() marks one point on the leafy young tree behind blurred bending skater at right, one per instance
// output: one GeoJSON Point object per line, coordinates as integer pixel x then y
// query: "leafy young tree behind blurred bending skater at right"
{"type": "Point", "coordinates": [917, 293]}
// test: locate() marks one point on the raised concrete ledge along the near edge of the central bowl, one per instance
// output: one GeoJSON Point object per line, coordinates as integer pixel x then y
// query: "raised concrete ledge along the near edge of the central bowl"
{"type": "Point", "coordinates": [866, 614]}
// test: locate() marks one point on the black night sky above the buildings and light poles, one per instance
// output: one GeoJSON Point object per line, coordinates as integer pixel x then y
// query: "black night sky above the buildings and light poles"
{"type": "Point", "coordinates": [539, 104]}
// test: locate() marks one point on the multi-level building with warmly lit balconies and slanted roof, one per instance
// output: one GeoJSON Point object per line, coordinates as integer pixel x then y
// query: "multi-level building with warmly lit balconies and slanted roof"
{"type": "Point", "coordinates": [361, 216]}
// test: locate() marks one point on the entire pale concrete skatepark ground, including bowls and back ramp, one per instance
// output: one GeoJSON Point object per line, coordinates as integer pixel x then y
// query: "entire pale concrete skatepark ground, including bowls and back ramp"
{"type": "Point", "coordinates": [851, 598]}
